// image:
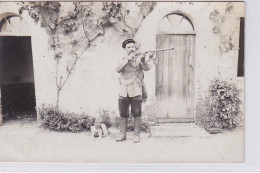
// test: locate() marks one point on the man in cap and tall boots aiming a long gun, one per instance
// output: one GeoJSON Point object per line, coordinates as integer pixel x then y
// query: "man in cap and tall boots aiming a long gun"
{"type": "Point", "coordinates": [131, 69]}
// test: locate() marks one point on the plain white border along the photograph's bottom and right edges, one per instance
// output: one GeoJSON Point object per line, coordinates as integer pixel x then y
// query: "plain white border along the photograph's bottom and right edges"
{"type": "Point", "coordinates": [252, 143]}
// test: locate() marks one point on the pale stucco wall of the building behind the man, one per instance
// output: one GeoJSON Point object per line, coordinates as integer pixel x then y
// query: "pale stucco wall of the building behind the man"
{"type": "Point", "coordinates": [94, 82]}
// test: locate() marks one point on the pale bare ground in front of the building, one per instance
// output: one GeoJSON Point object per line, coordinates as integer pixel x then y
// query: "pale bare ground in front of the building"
{"type": "Point", "coordinates": [24, 140]}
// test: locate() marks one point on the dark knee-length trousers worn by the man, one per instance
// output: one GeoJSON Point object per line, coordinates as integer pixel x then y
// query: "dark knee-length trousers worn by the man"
{"type": "Point", "coordinates": [135, 103]}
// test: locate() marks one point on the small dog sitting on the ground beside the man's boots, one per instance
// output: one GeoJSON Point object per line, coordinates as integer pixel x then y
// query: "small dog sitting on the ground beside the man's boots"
{"type": "Point", "coordinates": [99, 129]}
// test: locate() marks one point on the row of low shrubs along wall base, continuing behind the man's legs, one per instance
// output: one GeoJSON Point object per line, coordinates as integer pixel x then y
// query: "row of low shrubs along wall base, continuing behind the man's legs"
{"type": "Point", "coordinates": [55, 119]}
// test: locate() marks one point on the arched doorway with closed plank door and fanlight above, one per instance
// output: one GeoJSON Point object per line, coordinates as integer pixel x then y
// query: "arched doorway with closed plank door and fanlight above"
{"type": "Point", "coordinates": [175, 69]}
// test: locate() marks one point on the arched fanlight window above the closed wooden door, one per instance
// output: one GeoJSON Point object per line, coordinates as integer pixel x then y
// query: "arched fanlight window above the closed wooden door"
{"type": "Point", "coordinates": [175, 23]}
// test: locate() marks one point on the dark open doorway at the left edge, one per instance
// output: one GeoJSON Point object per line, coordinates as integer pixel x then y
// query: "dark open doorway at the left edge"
{"type": "Point", "coordinates": [16, 77]}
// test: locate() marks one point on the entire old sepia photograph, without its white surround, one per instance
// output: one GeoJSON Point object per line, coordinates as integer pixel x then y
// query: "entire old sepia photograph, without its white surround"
{"type": "Point", "coordinates": [122, 82]}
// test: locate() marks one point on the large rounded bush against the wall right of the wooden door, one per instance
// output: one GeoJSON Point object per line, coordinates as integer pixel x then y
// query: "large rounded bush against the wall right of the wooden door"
{"type": "Point", "coordinates": [221, 108]}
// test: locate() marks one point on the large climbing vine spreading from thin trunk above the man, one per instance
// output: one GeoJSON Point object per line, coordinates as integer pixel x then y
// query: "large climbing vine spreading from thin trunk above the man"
{"type": "Point", "coordinates": [73, 26]}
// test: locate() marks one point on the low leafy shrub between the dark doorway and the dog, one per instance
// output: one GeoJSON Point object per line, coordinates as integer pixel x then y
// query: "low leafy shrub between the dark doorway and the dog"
{"type": "Point", "coordinates": [55, 119]}
